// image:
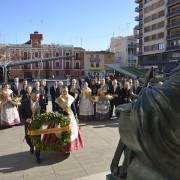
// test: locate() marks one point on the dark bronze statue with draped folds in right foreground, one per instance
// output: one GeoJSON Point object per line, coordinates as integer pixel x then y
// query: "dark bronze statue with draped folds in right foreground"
{"type": "Point", "coordinates": [150, 134]}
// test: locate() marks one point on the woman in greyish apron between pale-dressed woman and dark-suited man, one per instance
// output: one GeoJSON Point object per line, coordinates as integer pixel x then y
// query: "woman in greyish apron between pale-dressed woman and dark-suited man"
{"type": "Point", "coordinates": [102, 105]}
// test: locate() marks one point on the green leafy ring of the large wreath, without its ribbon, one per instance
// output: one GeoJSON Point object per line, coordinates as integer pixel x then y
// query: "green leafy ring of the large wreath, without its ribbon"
{"type": "Point", "coordinates": [47, 118]}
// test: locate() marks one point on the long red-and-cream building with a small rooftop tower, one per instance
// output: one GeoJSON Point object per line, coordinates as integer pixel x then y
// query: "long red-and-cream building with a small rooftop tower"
{"type": "Point", "coordinates": [34, 49]}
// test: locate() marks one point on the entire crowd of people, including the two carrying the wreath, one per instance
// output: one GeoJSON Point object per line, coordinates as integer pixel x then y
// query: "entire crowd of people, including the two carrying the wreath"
{"type": "Point", "coordinates": [94, 98]}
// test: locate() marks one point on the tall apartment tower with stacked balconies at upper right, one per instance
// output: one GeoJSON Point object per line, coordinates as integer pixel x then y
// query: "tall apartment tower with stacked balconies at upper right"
{"type": "Point", "coordinates": [158, 33]}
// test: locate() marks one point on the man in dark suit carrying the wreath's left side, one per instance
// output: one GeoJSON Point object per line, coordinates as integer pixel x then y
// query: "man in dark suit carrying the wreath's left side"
{"type": "Point", "coordinates": [31, 109]}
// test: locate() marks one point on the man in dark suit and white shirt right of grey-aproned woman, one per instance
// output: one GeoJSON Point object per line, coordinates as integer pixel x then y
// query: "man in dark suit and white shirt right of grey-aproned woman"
{"type": "Point", "coordinates": [115, 91]}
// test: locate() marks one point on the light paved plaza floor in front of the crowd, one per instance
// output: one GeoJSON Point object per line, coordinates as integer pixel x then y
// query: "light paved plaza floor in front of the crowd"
{"type": "Point", "coordinates": [100, 138]}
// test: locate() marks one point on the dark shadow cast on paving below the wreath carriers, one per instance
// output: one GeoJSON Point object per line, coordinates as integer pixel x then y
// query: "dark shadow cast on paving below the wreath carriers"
{"type": "Point", "coordinates": [23, 161]}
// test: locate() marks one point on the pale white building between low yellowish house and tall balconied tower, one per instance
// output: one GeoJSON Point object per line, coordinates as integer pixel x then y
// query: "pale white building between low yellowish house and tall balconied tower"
{"type": "Point", "coordinates": [125, 50]}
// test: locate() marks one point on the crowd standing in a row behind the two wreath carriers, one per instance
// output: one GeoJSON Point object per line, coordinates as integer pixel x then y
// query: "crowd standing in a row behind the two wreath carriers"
{"type": "Point", "coordinates": [95, 98]}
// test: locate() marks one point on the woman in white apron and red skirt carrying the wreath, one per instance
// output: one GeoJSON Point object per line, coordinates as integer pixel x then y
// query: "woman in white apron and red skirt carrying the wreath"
{"type": "Point", "coordinates": [67, 107]}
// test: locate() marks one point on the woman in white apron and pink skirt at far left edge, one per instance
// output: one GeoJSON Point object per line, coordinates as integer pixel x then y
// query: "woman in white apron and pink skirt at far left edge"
{"type": "Point", "coordinates": [8, 111]}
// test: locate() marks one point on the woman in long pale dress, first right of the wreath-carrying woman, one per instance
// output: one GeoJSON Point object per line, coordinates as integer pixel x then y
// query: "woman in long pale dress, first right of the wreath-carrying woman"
{"type": "Point", "coordinates": [86, 109]}
